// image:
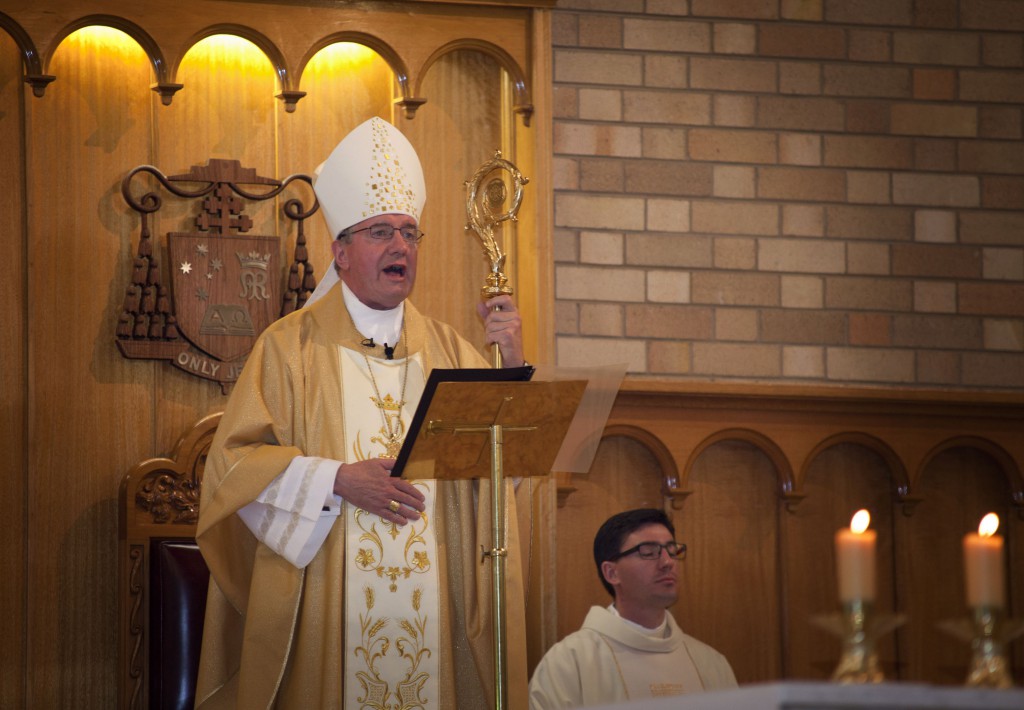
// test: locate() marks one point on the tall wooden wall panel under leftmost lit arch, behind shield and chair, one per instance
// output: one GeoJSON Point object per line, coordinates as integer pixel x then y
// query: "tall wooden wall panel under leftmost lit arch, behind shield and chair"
{"type": "Point", "coordinates": [90, 413]}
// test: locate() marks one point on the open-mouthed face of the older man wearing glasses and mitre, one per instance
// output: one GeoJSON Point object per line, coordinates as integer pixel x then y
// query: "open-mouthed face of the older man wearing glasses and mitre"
{"type": "Point", "coordinates": [380, 274]}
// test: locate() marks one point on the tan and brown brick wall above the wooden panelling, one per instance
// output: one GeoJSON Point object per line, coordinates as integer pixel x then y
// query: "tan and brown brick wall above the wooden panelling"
{"type": "Point", "coordinates": [800, 191]}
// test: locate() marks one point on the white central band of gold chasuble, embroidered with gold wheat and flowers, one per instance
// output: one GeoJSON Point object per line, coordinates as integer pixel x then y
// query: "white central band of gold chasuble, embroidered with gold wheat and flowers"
{"type": "Point", "coordinates": [392, 587]}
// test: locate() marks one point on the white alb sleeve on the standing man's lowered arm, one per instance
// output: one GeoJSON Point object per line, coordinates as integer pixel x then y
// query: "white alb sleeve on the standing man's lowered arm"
{"type": "Point", "coordinates": [294, 515]}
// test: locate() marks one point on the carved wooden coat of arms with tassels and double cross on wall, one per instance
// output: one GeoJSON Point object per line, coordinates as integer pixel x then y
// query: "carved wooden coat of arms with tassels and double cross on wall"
{"type": "Point", "coordinates": [227, 284]}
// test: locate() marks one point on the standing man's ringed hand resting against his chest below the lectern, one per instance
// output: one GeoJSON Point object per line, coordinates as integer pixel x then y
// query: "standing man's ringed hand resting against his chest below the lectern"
{"type": "Point", "coordinates": [369, 485]}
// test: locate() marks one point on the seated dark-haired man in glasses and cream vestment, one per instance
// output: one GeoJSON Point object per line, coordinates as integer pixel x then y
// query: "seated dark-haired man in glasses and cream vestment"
{"type": "Point", "coordinates": [633, 649]}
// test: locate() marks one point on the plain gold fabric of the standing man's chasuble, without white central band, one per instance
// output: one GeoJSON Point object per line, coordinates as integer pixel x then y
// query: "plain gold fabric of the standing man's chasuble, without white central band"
{"type": "Point", "coordinates": [273, 636]}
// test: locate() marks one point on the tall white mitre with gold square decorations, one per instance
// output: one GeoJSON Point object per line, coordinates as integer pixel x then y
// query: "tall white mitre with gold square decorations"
{"type": "Point", "coordinates": [373, 172]}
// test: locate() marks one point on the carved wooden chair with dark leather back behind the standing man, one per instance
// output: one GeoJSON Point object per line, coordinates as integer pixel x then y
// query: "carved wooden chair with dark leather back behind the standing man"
{"type": "Point", "coordinates": [163, 578]}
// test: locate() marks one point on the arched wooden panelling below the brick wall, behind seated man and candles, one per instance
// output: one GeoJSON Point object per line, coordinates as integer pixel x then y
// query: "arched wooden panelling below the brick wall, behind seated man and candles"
{"type": "Point", "coordinates": [759, 480]}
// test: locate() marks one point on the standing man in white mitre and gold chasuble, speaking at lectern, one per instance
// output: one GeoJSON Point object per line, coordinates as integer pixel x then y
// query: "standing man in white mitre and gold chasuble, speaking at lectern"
{"type": "Point", "coordinates": [332, 583]}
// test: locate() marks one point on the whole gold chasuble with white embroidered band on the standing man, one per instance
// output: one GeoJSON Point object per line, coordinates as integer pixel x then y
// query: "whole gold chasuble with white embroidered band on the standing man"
{"type": "Point", "coordinates": [382, 617]}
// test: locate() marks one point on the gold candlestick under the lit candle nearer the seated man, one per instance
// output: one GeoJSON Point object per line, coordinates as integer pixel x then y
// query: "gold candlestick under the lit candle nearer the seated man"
{"type": "Point", "coordinates": [860, 628]}
